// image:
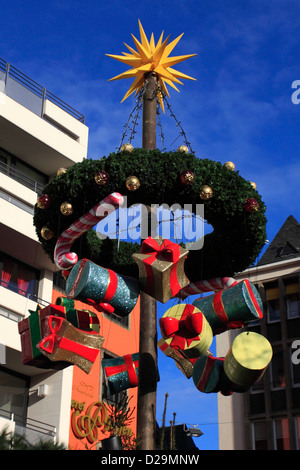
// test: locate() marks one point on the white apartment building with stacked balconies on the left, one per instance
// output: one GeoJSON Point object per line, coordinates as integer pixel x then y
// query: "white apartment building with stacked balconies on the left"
{"type": "Point", "coordinates": [39, 134]}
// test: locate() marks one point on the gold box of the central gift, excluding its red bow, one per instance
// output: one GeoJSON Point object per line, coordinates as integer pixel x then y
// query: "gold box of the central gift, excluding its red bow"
{"type": "Point", "coordinates": [161, 288]}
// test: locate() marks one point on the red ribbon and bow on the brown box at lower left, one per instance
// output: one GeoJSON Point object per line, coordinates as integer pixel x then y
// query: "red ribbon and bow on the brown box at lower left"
{"type": "Point", "coordinates": [49, 343]}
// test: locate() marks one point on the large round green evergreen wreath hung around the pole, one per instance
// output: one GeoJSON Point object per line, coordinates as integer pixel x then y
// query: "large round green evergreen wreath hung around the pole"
{"type": "Point", "coordinates": [234, 244]}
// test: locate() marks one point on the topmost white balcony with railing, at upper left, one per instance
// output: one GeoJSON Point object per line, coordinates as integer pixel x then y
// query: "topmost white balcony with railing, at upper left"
{"type": "Point", "coordinates": [36, 126]}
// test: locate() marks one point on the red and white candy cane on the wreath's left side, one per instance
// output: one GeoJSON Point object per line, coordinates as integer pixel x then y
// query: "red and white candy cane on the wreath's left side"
{"type": "Point", "coordinates": [63, 257]}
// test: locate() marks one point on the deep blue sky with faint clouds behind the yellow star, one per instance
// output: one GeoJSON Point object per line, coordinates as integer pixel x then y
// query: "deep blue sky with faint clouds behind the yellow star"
{"type": "Point", "coordinates": [239, 109]}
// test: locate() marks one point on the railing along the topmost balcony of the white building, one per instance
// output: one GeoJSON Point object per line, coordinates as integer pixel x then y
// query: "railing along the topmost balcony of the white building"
{"type": "Point", "coordinates": [30, 94]}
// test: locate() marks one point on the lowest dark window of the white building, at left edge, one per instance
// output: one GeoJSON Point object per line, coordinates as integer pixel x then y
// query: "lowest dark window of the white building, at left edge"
{"type": "Point", "coordinates": [13, 395]}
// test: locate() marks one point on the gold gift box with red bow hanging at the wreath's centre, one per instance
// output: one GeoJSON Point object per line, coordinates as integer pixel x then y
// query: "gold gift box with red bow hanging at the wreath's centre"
{"type": "Point", "coordinates": [161, 268]}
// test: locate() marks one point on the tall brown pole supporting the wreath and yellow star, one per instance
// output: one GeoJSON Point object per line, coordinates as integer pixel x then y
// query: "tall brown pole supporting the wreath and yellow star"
{"type": "Point", "coordinates": [148, 373]}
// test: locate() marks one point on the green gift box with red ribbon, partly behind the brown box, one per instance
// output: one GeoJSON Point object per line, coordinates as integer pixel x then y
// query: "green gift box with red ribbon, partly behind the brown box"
{"type": "Point", "coordinates": [32, 330]}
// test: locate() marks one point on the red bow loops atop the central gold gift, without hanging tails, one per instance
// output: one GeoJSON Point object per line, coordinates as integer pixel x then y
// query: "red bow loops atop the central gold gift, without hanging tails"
{"type": "Point", "coordinates": [168, 250]}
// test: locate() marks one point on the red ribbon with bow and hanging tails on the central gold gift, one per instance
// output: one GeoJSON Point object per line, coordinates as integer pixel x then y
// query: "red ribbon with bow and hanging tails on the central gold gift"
{"type": "Point", "coordinates": [167, 251]}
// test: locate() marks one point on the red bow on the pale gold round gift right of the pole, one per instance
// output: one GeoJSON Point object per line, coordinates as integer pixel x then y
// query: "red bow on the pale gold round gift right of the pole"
{"type": "Point", "coordinates": [184, 330]}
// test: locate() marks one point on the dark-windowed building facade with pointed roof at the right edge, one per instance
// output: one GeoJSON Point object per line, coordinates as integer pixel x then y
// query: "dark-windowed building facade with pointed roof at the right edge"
{"type": "Point", "coordinates": [268, 416]}
